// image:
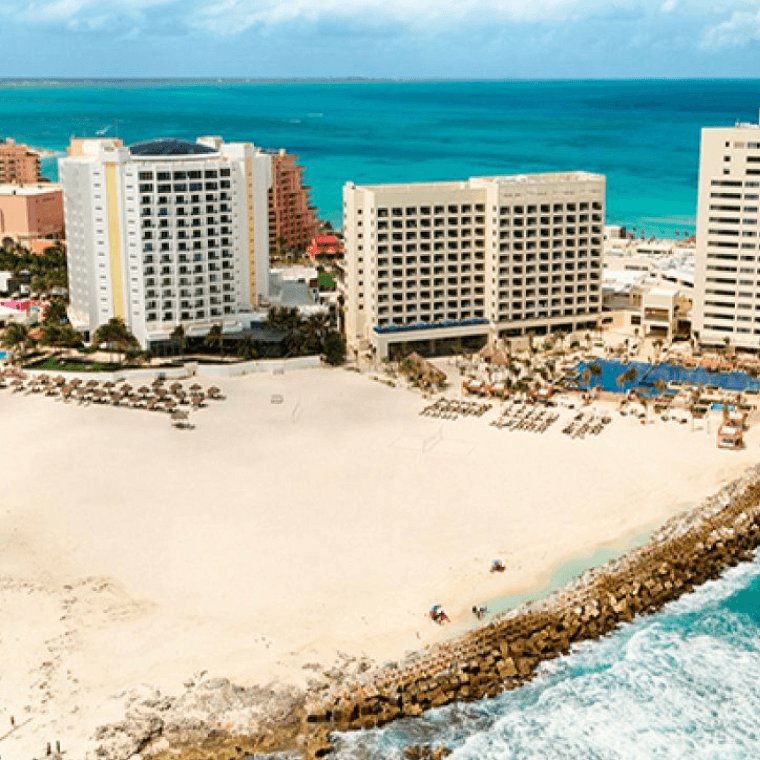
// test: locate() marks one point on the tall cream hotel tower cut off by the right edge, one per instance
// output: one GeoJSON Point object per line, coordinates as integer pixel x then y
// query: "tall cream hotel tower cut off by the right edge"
{"type": "Point", "coordinates": [727, 267]}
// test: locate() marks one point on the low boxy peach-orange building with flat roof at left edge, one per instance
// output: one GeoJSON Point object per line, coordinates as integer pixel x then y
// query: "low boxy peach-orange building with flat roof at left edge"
{"type": "Point", "coordinates": [31, 212]}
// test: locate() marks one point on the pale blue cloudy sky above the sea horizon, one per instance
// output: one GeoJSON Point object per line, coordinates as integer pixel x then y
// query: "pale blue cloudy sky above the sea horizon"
{"type": "Point", "coordinates": [380, 38]}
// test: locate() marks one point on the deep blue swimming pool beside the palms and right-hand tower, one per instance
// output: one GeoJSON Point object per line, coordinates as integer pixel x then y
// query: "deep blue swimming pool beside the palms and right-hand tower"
{"type": "Point", "coordinates": [648, 374]}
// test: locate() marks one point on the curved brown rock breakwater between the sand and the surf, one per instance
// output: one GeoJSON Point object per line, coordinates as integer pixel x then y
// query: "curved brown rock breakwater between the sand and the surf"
{"type": "Point", "coordinates": [687, 551]}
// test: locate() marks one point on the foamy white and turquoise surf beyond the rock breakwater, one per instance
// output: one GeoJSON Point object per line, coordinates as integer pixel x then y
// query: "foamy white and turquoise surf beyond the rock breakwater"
{"type": "Point", "coordinates": [684, 683]}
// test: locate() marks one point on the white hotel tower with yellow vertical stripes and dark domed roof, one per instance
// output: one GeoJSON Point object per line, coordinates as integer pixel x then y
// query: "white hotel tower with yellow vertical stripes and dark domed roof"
{"type": "Point", "coordinates": [165, 233]}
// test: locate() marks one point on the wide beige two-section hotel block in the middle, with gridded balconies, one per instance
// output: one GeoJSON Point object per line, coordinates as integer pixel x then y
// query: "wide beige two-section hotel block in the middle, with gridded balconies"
{"type": "Point", "coordinates": [439, 267]}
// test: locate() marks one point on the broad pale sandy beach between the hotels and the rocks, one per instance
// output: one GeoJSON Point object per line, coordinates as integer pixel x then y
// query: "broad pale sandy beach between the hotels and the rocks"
{"type": "Point", "coordinates": [274, 536]}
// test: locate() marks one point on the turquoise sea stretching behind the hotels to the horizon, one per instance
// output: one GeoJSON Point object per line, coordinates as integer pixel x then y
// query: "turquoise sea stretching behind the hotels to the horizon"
{"type": "Point", "coordinates": [644, 135]}
